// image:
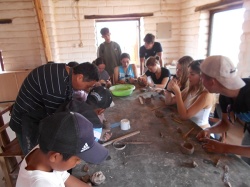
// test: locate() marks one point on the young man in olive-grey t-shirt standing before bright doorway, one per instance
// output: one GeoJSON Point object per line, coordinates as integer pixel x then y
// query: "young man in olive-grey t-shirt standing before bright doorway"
{"type": "Point", "coordinates": [110, 51]}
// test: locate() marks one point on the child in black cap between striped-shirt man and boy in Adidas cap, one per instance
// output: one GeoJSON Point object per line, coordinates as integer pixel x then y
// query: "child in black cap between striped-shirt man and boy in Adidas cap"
{"type": "Point", "coordinates": [98, 99]}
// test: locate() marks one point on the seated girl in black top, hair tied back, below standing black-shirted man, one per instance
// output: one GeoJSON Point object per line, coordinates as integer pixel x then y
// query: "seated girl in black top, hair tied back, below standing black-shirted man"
{"type": "Point", "coordinates": [159, 75]}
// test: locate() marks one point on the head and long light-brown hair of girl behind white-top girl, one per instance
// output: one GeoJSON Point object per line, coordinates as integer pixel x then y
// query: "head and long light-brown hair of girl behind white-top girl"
{"type": "Point", "coordinates": [181, 75]}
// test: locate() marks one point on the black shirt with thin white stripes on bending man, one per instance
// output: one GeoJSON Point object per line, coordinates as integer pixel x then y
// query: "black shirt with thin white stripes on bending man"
{"type": "Point", "coordinates": [44, 89]}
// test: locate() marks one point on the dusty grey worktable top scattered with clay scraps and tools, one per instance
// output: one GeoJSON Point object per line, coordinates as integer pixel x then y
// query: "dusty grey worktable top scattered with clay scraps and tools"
{"type": "Point", "coordinates": [161, 163]}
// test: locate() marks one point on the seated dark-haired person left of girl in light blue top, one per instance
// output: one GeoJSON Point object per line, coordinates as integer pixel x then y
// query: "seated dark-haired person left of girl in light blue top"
{"type": "Point", "coordinates": [104, 78]}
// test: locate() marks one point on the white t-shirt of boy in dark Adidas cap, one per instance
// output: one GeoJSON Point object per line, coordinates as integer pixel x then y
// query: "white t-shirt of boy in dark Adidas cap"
{"type": "Point", "coordinates": [37, 178]}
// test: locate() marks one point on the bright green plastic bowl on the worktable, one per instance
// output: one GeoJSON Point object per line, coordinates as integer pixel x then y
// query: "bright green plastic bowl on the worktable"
{"type": "Point", "coordinates": [122, 89]}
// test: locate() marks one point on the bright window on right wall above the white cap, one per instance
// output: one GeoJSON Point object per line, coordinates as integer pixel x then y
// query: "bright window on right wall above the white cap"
{"type": "Point", "coordinates": [225, 32]}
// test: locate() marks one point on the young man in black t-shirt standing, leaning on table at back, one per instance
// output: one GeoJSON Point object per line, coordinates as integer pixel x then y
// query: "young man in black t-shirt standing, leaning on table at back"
{"type": "Point", "coordinates": [150, 48]}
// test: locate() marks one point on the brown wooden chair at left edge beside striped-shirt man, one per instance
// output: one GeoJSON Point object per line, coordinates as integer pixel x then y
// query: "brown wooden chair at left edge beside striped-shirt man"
{"type": "Point", "coordinates": [9, 149]}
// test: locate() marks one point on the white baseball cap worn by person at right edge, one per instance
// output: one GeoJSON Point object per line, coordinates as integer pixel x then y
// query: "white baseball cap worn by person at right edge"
{"type": "Point", "coordinates": [222, 69]}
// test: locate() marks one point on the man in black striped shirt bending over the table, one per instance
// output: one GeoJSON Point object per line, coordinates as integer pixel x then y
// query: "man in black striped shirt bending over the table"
{"type": "Point", "coordinates": [41, 93]}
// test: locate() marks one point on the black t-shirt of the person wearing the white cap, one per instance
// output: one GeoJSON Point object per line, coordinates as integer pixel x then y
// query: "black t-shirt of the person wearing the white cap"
{"type": "Point", "coordinates": [241, 105]}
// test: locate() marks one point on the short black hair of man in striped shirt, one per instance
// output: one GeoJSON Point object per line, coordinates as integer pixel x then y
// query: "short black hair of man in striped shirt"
{"type": "Point", "coordinates": [88, 70]}
